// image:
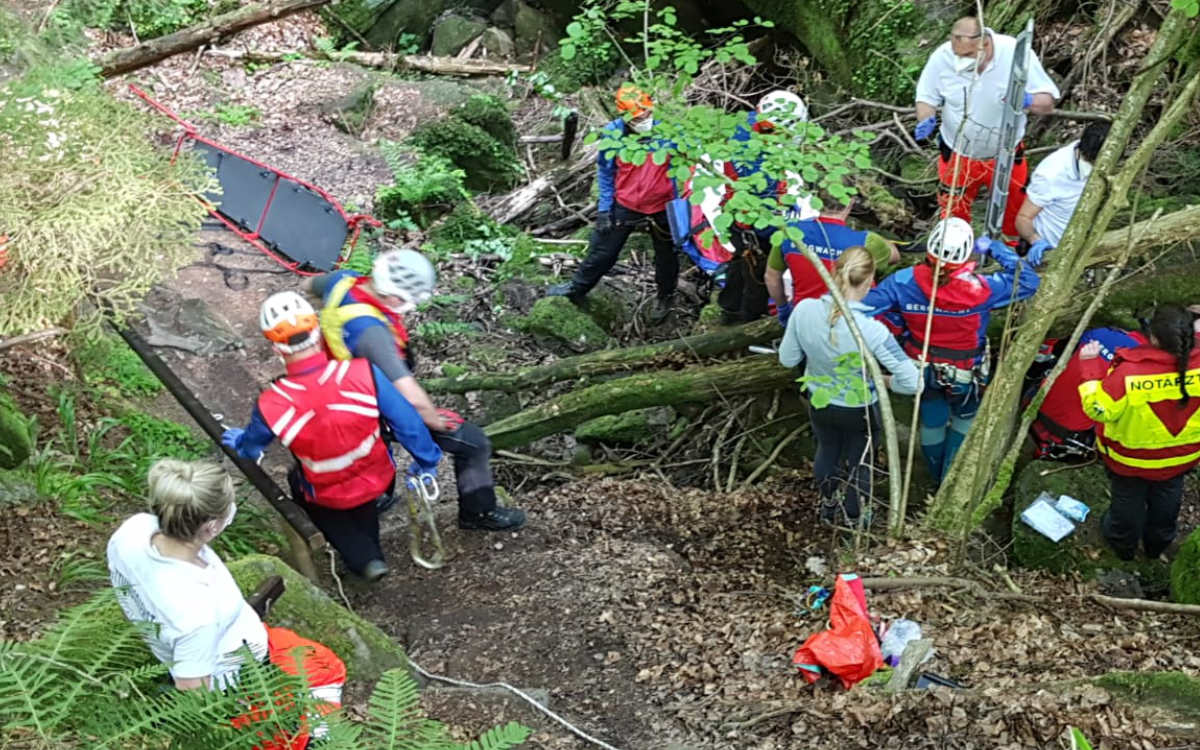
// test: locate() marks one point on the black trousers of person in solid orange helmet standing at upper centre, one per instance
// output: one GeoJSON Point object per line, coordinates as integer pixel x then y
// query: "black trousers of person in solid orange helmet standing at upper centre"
{"type": "Point", "coordinates": [607, 245]}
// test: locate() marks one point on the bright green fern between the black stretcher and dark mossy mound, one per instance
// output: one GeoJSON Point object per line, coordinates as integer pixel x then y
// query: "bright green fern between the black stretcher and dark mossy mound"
{"type": "Point", "coordinates": [425, 187]}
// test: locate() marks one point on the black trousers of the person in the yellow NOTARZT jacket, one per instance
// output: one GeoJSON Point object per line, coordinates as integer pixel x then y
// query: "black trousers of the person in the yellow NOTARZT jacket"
{"type": "Point", "coordinates": [1144, 511]}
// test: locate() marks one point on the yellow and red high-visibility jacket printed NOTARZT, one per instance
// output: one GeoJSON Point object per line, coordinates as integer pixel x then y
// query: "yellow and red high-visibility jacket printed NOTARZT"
{"type": "Point", "coordinates": [1145, 429]}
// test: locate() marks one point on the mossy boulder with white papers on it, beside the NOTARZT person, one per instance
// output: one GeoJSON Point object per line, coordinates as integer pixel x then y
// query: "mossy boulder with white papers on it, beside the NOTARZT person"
{"type": "Point", "coordinates": [1085, 549]}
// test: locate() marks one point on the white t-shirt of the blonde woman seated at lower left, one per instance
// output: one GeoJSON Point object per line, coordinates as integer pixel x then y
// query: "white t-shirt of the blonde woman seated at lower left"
{"type": "Point", "coordinates": [199, 614]}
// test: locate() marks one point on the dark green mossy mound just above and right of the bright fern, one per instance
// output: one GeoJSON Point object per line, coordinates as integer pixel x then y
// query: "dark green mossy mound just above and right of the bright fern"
{"type": "Point", "coordinates": [487, 163]}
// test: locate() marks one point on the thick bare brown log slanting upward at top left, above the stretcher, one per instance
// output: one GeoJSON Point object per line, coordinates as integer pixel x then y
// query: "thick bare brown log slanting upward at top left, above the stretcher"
{"type": "Point", "coordinates": [153, 51]}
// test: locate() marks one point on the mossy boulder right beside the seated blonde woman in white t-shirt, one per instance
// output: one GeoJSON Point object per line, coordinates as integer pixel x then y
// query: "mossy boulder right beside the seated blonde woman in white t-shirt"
{"type": "Point", "coordinates": [367, 651]}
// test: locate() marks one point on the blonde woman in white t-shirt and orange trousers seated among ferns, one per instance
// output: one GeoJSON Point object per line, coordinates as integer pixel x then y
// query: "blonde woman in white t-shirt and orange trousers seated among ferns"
{"type": "Point", "coordinates": [190, 610]}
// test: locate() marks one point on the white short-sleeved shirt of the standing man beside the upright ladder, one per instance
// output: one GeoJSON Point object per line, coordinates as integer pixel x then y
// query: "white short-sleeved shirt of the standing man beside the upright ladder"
{"type": "Point", "coordinates": [945, 88]}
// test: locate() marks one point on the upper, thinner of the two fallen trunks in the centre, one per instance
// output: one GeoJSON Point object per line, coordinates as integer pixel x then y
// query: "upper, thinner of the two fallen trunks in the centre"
{"type": "Point", "coordinates": [614, 361]}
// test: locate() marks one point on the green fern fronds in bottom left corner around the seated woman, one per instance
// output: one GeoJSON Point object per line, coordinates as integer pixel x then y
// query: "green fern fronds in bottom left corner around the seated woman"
{"type": "Point", "coordinates": [91, 681]}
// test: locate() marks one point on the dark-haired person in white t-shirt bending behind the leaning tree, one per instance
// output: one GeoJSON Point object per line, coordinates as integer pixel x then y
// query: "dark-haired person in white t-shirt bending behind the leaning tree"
{"type": "Point", "coordinates": [1055, 189]}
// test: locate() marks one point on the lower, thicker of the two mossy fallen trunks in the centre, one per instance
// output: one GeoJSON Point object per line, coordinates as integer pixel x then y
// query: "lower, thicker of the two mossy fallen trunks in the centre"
{"type": "Point", "coordinates": [638, 392]}
